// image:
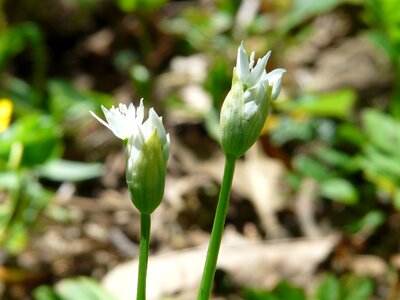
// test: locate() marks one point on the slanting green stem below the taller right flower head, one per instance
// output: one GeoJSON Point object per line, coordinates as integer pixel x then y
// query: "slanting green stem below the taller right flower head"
{"type": "Point", "coordinates": [218, 228]}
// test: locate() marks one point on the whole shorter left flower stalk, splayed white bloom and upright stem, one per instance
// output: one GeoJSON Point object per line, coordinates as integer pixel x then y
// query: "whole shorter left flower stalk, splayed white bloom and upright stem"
{"type": "Point", "coordinates": [147, 152]}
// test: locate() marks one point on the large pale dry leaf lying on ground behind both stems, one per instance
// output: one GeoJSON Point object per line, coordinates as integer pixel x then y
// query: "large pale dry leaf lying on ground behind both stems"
{"type": "Point", "coordinates": [261, 264]}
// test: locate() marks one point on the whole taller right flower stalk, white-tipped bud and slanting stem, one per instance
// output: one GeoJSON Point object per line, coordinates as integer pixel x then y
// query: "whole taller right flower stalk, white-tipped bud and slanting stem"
{"type": "Point", "coordinates": [243, 115]}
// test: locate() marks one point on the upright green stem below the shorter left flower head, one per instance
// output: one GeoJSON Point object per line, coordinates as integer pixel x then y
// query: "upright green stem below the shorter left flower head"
{"type": "Point", "coordinates": [145, 224]}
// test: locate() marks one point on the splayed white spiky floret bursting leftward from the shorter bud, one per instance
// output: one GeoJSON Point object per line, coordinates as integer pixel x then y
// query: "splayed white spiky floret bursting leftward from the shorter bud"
{"type": "Point", "coordinates": [122, 121]}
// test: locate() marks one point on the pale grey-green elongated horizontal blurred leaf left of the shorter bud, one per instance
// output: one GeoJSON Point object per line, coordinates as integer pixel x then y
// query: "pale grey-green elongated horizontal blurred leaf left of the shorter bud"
{"type": "Point", "coordinates": [65, 170]}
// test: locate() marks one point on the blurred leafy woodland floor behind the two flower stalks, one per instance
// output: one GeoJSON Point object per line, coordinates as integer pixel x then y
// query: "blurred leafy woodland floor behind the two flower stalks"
{"type": "Point", "coordinates": [314, 210]}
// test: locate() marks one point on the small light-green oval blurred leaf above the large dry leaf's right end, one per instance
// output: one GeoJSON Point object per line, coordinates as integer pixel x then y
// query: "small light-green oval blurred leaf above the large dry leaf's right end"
{"type": "Point", "coordinates": [339, 190]}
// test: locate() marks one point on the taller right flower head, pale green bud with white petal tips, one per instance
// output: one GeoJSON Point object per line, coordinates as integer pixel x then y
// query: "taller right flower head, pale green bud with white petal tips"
{"type": "Point", "coordinates": [246, 106]}
